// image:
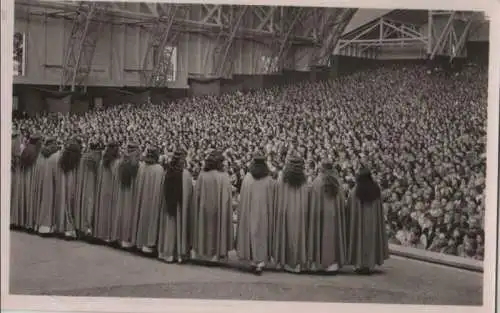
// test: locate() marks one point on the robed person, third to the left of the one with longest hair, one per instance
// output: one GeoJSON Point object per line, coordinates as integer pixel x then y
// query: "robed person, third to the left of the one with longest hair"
{"type": "Point", "coordinates": [108, 171]}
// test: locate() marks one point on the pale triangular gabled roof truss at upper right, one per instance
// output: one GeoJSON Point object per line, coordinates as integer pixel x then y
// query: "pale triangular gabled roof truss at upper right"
{"type": "Point", "coordinates": [381, 33]}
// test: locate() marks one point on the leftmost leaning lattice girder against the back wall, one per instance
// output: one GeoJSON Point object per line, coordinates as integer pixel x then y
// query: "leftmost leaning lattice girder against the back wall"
{"type": "Point", "coordinates": [77, 63]}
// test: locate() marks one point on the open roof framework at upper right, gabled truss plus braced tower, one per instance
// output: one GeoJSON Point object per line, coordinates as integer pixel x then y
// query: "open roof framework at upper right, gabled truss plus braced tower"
{"type": "Point", "coordinates": [433, 32]}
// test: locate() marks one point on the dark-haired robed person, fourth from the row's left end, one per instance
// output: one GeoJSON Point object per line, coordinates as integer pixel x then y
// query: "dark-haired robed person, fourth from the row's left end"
{"type": "Point", "coordinates": [65, 178]}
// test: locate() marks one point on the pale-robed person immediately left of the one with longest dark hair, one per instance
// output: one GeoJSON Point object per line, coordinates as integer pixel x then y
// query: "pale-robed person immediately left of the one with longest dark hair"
{"type": "Point", "coordinates": [149, 200]}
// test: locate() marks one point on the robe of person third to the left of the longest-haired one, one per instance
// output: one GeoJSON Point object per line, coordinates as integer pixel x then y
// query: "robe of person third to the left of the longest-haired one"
{"type": "Point", "coordinates": [103, 212]}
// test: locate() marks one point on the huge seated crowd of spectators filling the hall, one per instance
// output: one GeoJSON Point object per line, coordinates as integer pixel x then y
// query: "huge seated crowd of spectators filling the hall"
{"type": "Point", "coordinates": [421, 132]}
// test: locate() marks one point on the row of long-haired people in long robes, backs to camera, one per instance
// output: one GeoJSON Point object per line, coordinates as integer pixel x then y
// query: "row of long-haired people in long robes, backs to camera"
{"type": "Point", "coordinates": [135, 203]}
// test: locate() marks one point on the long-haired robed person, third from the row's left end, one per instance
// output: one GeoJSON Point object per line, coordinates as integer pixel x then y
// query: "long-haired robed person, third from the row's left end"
{"type": "Point", "coordinates": [42, 179]}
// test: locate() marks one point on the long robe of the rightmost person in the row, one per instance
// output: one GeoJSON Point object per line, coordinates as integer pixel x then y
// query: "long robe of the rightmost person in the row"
{"type": "Point", "coordinates": [367, 239]}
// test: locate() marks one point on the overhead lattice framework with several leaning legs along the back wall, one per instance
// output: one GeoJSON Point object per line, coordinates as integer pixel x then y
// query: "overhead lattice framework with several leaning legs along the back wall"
{"type": "Point", "coordinates": [279, 28]}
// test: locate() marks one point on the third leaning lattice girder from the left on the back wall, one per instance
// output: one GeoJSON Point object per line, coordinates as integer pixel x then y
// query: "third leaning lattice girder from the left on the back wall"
{"type": "Point", "coordinates": [222, 53]}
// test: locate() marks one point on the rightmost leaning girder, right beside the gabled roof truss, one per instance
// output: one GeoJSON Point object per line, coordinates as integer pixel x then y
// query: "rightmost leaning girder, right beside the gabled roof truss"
{"type": "Point", "coordinates": [332, 33]}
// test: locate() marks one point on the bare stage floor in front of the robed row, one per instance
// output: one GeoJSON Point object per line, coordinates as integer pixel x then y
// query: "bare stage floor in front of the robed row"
{"type": "Point", "coordinates": [47, 266]}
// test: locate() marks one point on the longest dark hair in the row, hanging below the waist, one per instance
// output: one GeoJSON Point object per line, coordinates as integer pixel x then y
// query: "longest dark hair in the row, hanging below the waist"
{"type": "Point", "coordinates": [173, 186]}
